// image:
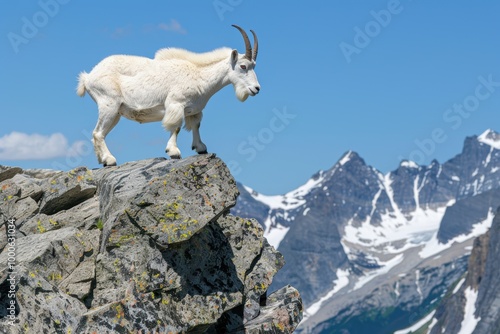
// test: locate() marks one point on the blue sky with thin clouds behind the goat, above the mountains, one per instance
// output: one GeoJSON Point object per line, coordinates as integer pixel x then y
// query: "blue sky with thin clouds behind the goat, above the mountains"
{"type": "Point", "coordinates": [390, 80]}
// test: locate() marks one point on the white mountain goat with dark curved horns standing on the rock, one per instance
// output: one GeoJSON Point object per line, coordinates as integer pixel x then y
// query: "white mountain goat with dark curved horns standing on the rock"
{"type": "Point", "coordinates": [173, 86]}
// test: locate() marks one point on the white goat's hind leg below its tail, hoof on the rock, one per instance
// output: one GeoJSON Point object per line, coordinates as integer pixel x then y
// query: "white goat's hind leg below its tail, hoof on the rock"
{"type": "Point", "coordinates": [108, 118]}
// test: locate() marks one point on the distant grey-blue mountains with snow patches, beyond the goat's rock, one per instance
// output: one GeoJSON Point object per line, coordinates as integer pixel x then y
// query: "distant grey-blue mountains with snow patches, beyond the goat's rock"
{"type": "Point", "coordinates": [373, 251]}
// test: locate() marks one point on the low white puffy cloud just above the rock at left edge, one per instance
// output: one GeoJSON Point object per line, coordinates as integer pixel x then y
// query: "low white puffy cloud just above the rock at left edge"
{"type": "Point", "coordinates": [22, 146]}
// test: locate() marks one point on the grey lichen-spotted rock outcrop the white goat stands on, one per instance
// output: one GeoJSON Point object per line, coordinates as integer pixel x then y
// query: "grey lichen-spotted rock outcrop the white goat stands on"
{"type": "Point", "coordinates": [144, 247]}
